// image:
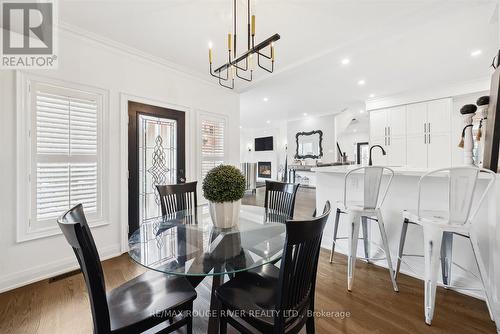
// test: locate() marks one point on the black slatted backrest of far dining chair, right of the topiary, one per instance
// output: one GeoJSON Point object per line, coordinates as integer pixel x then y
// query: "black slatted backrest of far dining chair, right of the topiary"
{"type": "Point", "coordinates": [280, 200]}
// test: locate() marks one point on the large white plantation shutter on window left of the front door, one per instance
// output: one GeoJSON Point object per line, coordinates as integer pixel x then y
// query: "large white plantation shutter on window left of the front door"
{"type": "Point", "coordinates": [66, 147]}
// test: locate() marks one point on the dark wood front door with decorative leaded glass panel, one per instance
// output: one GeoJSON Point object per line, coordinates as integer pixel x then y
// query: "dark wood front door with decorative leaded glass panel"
{"type": "Point", "coordinates": [156, 155]}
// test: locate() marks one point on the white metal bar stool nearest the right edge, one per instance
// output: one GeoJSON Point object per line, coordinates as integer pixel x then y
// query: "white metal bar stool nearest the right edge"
{"type": "Point", "coordinates": [440, 226]}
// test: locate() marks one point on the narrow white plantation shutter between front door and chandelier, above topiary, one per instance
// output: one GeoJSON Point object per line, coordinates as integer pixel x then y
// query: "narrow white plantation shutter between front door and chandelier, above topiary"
{"type": "Point", "coordinates": [212, 143]}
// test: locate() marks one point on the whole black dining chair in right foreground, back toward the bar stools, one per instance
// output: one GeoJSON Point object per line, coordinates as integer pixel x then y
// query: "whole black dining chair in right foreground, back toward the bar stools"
{"type": "Point", "coordinates": [278, 300]}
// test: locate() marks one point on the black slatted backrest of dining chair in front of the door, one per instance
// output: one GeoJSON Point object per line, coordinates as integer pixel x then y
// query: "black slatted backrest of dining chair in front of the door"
{"type": "Point", "coordinates": [177, 197]}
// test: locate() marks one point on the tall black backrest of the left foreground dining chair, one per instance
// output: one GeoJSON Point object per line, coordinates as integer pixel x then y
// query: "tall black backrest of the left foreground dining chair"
{"type": "Point", "coordinates": [76, 230]}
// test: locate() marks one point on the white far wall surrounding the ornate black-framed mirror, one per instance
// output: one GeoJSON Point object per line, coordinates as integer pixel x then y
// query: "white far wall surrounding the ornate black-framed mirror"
{"type": "Point", "coordinates": [324, 123]}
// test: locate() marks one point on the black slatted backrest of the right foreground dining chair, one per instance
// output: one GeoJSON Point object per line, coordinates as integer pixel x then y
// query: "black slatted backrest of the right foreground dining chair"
{"type": "Point", "coordinates": [299, 264]}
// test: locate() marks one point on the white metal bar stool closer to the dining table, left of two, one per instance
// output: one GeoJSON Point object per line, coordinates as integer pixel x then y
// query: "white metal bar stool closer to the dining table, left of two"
{"type": "Point", "coordinates": [367, 210]}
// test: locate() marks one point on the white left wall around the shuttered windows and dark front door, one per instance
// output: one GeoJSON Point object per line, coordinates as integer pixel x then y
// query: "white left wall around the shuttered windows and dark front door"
{"type": "Point", "coordinates": [90, 62]}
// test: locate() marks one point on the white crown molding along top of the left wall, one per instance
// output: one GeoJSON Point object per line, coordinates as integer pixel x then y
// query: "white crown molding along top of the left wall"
{"type": "Point", "coordinates": [133, 52]}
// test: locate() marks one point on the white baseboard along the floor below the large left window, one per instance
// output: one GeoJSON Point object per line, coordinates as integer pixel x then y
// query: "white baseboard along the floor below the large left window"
{"type": "Point", "coordinates": [48, 270]}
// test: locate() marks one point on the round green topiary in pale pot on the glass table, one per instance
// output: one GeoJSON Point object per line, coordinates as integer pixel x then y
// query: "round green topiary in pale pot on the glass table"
{"type": "Point", "coordinates": [224, 187]}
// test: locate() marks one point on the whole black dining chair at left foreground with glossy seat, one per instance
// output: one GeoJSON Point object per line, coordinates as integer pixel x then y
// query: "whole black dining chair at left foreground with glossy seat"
{"type": "Point", "coordinates": [137, 305]}
